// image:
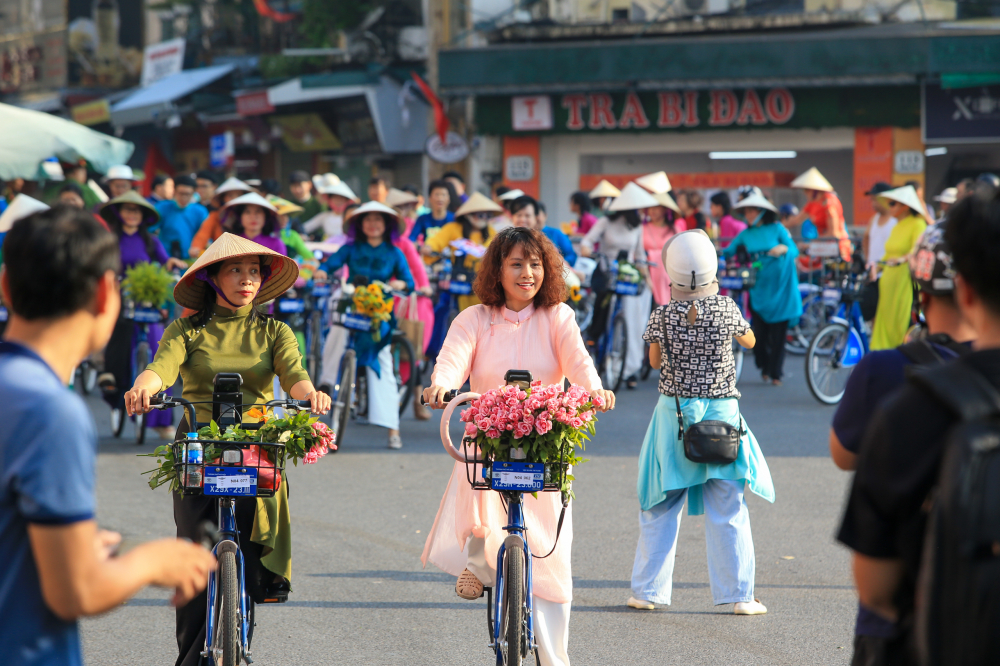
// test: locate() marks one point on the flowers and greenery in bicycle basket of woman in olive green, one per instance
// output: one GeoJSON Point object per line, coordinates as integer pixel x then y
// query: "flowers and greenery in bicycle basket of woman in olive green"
{"type": "Point", "coordinates": [304, 436]}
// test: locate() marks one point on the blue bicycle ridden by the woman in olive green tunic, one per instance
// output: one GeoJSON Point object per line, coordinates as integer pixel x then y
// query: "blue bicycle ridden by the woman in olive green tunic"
{"type": "Point", "coordinates": [230, 608]}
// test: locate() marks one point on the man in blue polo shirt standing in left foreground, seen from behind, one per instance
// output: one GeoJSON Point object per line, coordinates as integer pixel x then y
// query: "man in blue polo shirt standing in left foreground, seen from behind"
{"type": "Point", "coordinates": [59, 284]}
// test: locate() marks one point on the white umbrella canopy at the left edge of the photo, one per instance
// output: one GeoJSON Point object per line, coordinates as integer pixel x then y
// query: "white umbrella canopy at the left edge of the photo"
{"type": "Point", "coordinates": [29, 137]}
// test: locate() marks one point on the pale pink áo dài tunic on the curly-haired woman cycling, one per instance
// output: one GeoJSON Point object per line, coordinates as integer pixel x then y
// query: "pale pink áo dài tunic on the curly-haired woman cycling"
{"type": "Point", "coordinates": [483, 343]}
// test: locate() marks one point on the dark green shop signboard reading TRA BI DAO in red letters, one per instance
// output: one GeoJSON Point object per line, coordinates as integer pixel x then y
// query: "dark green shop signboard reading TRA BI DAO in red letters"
{"type": "Point", "coordinates": [700, 110]}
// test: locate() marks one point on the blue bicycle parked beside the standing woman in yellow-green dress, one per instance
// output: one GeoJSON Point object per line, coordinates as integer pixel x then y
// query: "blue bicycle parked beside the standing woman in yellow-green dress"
{"type": "Point", "coordinates": [838, 346]}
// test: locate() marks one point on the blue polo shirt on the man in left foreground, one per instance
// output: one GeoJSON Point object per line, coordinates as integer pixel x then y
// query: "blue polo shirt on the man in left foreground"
{"type": "Point", "coordinates": [48, 450]}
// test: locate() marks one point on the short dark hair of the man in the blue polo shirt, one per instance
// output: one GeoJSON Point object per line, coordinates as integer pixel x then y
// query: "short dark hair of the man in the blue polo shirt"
{"type": "Point", "coordinates": [54, 260]}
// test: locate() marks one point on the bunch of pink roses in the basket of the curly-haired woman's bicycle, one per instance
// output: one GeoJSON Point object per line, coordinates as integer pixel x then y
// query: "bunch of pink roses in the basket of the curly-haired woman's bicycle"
{"type": "Point", "coordinates": [543, 424]}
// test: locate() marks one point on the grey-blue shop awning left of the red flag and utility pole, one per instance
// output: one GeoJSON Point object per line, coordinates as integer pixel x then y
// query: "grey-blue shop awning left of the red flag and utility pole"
{"type": "Point", "coordinates": [398, 131]}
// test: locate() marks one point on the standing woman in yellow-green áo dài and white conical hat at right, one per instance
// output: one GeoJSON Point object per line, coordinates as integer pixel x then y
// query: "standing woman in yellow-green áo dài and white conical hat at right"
{"type": "Point", "coordinates": [895, 287]}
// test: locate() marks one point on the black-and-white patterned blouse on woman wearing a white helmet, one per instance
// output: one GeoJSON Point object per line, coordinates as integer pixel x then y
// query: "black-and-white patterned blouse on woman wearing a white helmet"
{"type": "Point", "coordinates": [703, 352]}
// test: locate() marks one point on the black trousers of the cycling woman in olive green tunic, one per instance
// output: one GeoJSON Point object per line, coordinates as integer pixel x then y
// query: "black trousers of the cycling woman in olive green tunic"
{"type": "Point", "coordinates": [190, 513]}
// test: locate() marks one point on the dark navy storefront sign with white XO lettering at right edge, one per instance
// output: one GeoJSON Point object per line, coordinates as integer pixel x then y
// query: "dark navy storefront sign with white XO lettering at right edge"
{"type": "Point", "coordinates": [961, 115]}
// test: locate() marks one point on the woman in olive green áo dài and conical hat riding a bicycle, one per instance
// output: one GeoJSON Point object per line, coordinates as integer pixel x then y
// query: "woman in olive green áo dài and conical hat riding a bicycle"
{"type": "Point", "coordinates": [228, 333]}
